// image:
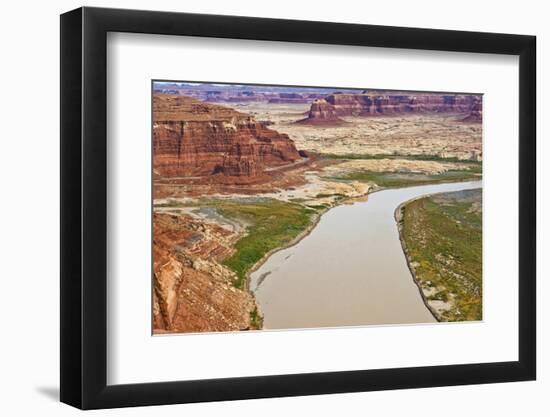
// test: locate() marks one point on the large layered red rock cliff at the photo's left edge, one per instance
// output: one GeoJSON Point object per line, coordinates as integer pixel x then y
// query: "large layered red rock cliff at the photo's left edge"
{"type": "Point", "coordinates": [196, 139]}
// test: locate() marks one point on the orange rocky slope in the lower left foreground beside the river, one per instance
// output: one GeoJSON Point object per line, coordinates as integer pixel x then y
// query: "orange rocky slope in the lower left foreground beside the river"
{"type": "Point", "coordinates": [193, 292]}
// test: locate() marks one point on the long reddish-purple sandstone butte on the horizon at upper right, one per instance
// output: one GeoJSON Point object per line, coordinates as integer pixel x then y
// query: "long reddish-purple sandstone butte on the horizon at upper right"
{"type": "Point", "coordinates": [328, 111]}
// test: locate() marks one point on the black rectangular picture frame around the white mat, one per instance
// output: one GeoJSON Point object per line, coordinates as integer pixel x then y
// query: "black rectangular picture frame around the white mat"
{"type": "Point", "coordinates": [84, 207]}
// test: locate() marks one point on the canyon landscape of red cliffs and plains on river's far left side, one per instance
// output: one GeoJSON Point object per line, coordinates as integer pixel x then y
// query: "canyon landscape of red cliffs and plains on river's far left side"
{"type": "Point", "coordinates": [241, 171]}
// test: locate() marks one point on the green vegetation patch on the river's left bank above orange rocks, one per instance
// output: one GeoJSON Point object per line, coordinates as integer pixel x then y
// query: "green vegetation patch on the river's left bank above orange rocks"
{"type": "Point", "coordinates": [271, 224]}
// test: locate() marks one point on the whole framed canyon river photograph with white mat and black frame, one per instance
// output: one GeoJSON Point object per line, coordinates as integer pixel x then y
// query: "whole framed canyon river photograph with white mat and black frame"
{"type": "Point", "coordinates": [257, 208]}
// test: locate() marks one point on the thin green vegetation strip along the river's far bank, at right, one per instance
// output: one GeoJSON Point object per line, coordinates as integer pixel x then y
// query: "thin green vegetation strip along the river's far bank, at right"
{"type": "Point", "coordinates": [404, 179]}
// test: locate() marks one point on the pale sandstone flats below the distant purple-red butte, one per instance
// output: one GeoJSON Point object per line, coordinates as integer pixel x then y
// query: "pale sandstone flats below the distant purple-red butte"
{"type": "Point", "coordinates": [437, 134]}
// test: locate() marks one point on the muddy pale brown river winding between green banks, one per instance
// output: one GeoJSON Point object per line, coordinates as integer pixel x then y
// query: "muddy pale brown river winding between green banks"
{"type": "Point", "coordinates": [349, 271]}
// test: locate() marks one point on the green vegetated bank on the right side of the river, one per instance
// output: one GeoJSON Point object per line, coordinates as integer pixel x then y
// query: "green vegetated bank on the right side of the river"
{"type": "Point", "coordinates": [443, 237]}
